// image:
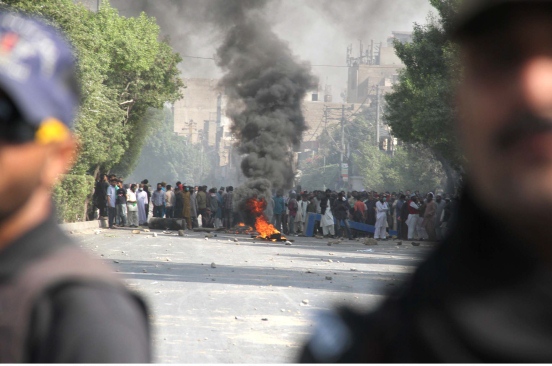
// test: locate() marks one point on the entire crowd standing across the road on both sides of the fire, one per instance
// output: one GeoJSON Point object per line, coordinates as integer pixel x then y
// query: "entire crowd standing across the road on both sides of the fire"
{"type": "Point", "coordinates": [411, 215]}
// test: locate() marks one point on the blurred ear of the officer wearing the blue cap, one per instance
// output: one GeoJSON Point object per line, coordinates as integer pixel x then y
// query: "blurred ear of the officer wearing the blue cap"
{"type": "Point", "coordinates": [60, 158]}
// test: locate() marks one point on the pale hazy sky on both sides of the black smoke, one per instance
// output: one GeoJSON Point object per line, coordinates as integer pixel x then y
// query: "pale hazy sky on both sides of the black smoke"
{"type": "Point", "coordinates": [317, 31]}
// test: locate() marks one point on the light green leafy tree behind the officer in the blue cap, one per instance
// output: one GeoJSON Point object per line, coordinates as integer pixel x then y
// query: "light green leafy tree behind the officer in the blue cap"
{"type": "Point", "coordinates": [123, 68]}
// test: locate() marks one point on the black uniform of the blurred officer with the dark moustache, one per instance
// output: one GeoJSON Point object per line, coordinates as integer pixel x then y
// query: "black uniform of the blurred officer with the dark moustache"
{"type": "Point", "coordinates": [481, 296]}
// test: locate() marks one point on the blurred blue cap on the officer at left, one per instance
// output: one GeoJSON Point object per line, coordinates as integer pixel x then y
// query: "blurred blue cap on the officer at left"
{"type": "Point", "coordinates": [37, 70]}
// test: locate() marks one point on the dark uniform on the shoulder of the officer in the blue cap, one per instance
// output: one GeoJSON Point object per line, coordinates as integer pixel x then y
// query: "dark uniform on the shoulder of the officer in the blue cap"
{"type": "Point", "coordinates": [73, 321]}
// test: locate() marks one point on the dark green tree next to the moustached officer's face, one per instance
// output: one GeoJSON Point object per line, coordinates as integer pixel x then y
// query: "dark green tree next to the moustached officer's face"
{"type": "Point", "coordinates": [421, 109]}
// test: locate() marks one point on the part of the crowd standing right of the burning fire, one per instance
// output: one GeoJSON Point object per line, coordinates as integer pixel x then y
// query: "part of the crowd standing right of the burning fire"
{"type": "Point", "coordinates": [411, 215]}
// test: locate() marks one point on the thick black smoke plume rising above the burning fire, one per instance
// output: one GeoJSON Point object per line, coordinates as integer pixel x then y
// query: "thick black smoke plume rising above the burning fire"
{"type": "Point", "coordinates": [265, 86]}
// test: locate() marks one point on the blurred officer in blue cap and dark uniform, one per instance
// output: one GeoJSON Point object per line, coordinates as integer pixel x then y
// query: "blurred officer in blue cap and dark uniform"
{"type": "Point", "coordinates": [58, 305]}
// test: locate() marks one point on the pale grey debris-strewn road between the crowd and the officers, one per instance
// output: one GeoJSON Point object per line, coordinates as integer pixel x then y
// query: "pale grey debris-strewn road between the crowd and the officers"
{"type": "Point", "coordinates": [256, 303]}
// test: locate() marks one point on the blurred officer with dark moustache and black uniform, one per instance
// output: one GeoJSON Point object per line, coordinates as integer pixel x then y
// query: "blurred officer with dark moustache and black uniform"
{"type": "Point", "coordinates": [485, 294]}
